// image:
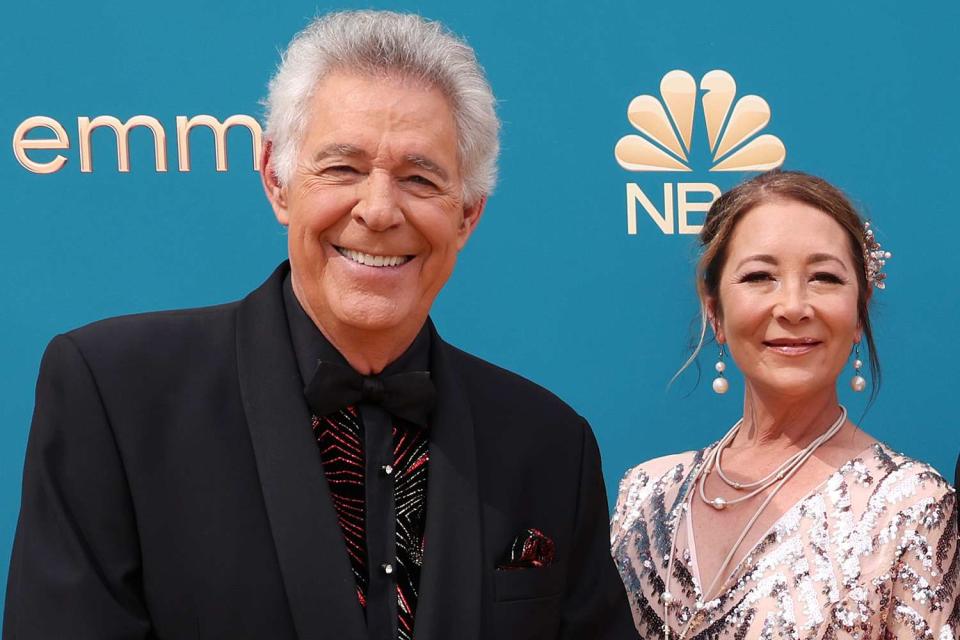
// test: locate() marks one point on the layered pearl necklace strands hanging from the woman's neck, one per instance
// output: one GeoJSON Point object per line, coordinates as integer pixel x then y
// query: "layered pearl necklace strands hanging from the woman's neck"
{"type": "Point", "coordinates": [777, 477]}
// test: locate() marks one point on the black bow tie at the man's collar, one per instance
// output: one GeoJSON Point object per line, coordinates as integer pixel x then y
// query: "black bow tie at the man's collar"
{"type": "Point", "coordinates": [409, 396]}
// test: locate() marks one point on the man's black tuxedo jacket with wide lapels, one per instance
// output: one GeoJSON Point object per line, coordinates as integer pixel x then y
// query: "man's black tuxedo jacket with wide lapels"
{"type": "Point", "coordinates": [173, 489]}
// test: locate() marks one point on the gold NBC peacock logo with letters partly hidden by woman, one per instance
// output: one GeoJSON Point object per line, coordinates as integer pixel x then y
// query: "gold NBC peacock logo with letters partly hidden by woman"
{"type": "Point", "coordinates": [667, 126]}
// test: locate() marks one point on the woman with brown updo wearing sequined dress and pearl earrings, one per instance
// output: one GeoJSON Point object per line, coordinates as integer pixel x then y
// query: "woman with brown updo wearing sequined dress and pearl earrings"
{"type": "Point", "coordinates": [796, 523]}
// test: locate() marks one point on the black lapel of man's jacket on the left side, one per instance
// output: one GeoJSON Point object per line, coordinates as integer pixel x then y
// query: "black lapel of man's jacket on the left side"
{"type": "Point", "coordinates": [313, 559]}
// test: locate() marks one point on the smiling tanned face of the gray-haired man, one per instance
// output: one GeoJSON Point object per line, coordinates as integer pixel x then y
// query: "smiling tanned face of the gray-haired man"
{"type": "Point", "coordinates": [374, 209]}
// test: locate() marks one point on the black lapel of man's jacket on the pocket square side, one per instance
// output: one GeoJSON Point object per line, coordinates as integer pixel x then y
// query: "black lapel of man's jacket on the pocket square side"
{"type": "Point", "coordinates": [450, 583]}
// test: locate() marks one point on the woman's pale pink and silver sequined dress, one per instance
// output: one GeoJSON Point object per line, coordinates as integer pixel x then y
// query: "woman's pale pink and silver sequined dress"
{"type": "Point", "coordinates": [870, 554]}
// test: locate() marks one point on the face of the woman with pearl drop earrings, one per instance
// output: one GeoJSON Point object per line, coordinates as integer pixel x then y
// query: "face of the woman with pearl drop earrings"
{"type": "Point", "coordinates": [788, 299]}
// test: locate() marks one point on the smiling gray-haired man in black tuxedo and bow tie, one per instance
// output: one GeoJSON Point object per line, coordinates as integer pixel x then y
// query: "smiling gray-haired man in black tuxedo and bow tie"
{"type": "Point", "coordinates": [314, 461]}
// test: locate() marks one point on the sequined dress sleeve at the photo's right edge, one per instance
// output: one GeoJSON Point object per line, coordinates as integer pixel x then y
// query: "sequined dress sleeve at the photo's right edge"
{"type": "Point", "coordinates": [924, 602]}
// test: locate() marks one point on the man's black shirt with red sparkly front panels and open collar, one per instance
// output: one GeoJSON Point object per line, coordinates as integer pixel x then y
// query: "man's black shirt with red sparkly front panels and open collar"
{"type": "Point", "coordinates": [376, 468]}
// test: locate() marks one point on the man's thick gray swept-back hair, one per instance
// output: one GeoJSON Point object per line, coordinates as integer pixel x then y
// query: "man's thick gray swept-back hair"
{"type": "Point", "coordinates": [381, 43]}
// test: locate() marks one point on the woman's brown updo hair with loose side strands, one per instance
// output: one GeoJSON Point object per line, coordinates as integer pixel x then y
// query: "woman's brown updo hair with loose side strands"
{"type": "Point", "coordinates": [796, 186]}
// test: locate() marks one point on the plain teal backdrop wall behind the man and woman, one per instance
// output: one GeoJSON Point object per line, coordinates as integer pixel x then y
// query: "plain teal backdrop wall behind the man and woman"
{"type": "Point", "coordinates": [552, 285]}
